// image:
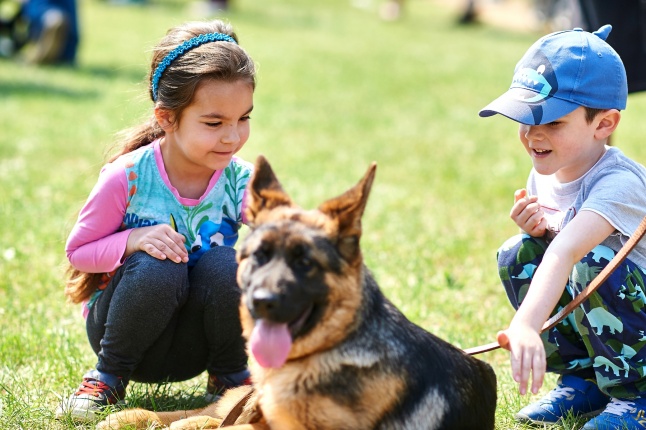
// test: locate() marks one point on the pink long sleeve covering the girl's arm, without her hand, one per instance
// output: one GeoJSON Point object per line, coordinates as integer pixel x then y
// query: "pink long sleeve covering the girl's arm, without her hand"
{"type": "Point", "coordinates": [95, 244]}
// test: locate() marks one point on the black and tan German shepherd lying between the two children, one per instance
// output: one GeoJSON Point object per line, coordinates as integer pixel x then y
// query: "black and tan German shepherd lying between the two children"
{"type": "Point", "coordinates": [330, 350]}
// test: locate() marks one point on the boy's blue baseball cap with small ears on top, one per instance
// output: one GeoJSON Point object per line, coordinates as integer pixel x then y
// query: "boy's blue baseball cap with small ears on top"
{"type": "Point", "coordinates": [560, 72]}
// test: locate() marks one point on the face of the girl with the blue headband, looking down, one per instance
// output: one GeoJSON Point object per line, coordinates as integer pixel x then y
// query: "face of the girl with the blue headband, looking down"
{"type": "Point", "coordinates": [212, 128]}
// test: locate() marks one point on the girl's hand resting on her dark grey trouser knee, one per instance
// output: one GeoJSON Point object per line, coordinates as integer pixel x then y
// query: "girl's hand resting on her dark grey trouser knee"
{"type": "Point", "coordinates": [159, 241]}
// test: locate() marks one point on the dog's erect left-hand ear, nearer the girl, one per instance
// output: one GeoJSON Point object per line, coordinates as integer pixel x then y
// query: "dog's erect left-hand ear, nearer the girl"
{"type": "Point", "coordinates": [264, 191]}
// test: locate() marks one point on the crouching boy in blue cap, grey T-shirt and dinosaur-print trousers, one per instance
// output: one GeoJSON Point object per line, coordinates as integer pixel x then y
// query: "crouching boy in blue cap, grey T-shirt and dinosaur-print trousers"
{"type": "Point", "coordinates": [583, 200]}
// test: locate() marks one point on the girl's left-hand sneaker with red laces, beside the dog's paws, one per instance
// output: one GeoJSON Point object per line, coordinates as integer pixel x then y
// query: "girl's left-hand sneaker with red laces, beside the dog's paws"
{"type": "Point", "coordinates": [97, 391]}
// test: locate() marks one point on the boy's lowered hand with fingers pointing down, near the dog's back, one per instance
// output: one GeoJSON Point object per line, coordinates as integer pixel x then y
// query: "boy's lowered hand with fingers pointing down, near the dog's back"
{"type": "Point", "coordinates": [527, 355]}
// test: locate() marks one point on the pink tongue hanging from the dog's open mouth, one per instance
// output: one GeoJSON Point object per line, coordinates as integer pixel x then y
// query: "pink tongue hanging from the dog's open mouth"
{"type": "Point", "coordinates": [270, 343]}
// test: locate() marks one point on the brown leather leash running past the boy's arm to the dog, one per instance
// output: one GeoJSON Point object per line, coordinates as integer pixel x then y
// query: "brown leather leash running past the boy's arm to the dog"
{"type": "Point", "coordinates": [580, 298]}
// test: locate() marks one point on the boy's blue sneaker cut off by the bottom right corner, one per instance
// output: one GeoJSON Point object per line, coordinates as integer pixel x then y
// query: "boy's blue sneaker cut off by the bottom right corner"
{"type": "Point", "coordinates": [620, 414]}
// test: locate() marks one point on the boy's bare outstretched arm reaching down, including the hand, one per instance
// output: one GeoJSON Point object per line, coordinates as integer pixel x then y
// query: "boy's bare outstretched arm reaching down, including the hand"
{"type": "Point", "coordinates": [578, 237]}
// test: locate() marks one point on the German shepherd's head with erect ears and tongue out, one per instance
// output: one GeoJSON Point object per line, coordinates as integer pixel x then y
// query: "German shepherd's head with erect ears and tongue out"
{"type": "Point", "coordinates": [300, 270]}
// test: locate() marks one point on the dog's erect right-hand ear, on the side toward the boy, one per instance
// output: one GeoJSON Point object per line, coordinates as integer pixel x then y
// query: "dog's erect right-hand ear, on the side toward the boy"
{"type": "Point", "coordinates": [347, 209]}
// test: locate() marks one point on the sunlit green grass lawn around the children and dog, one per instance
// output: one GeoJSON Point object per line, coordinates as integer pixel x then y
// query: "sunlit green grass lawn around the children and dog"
{"type": "Point", "coordinates": [338, 89]}
